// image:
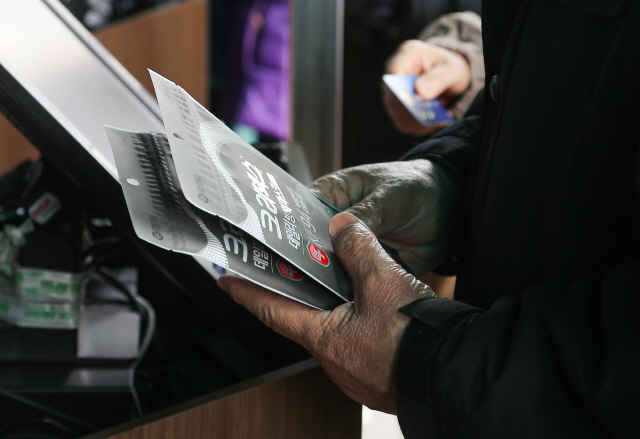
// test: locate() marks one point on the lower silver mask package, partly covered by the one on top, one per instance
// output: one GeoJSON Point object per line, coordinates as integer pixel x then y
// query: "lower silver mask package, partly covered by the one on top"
{"type": "Point", "coordinates": [162, 216]}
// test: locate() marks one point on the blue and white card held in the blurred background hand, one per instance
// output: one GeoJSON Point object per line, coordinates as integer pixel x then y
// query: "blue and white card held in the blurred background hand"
{"type": "Point", "coordinates": [426, 112]}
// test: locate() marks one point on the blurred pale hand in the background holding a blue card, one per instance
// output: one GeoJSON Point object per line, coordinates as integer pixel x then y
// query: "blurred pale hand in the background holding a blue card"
{"type": "Point", "coordinates": [442, 74]}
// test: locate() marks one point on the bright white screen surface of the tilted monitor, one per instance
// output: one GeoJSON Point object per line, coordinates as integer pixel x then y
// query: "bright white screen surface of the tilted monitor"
{"type": "Point", "coordinates": [61, 65]}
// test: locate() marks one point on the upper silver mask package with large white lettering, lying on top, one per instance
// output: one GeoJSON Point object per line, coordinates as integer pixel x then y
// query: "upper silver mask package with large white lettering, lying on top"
{"type": "Point", "coordinates": [222, 174]}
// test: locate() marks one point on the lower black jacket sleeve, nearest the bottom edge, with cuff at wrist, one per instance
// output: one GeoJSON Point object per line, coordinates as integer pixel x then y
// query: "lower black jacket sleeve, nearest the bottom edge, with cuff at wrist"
{"type": "Point", "coordinates": [550, 362]}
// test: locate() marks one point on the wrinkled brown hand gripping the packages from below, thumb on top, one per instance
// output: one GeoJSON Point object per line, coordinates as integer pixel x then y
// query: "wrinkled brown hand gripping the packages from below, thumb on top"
{"type": "Point", "coordinates": [356, 343]}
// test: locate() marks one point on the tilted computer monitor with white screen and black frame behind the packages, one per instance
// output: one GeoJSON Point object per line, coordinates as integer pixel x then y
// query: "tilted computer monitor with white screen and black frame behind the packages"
{"type": "Point", "coordinates": [59, 85]}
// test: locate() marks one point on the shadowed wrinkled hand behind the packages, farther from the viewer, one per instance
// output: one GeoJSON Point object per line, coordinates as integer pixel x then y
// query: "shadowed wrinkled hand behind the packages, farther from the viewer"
{"type": "Point", "coordinates": [407, 204]}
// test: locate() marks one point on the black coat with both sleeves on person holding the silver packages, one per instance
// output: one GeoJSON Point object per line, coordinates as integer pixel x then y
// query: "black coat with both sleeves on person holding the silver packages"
{"type": "Point", "coordinates": [550, 175]}
